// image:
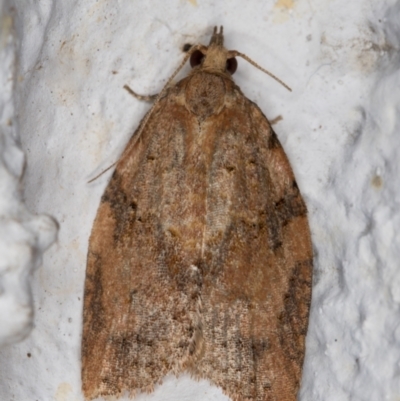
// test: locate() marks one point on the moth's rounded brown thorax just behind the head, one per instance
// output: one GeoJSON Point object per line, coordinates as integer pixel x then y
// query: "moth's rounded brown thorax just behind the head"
{"type": "Point", "coordinates": [205, 94]}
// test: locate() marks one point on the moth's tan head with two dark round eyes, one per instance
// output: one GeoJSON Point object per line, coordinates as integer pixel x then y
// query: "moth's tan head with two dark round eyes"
{"type": "Point", "coordinates": [214, 57]}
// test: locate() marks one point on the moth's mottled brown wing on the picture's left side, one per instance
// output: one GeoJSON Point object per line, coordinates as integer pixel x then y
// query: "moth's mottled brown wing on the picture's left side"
{"type": "Point", "coordinates": [137, 321]}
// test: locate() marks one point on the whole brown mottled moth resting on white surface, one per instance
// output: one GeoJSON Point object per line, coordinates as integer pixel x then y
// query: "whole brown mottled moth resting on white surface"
{"type": "Point", "coordinates": [200, 257]}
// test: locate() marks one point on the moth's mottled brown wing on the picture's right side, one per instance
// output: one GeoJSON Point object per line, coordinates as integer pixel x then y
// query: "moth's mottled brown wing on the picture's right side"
{"type": "Point", "coordinates": [256, 295]}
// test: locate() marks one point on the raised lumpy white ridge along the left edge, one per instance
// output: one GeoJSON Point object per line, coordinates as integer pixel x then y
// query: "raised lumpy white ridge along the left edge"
{"type": "Point", "coordinates": [23, 236]}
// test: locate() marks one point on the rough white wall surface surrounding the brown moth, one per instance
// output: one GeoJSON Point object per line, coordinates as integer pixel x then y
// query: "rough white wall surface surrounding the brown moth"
{"type": "Point", "coordinates": [340, 129]}
